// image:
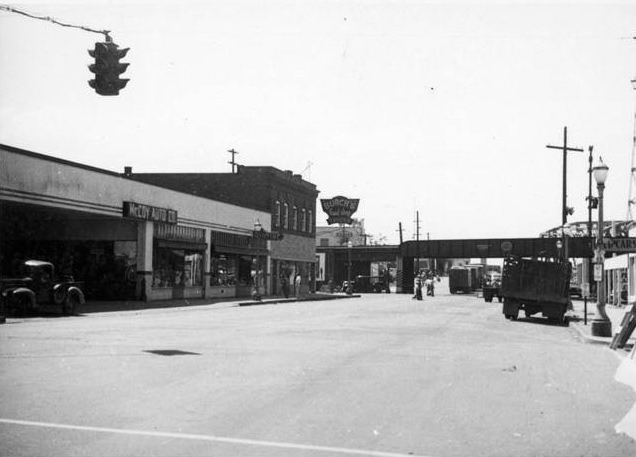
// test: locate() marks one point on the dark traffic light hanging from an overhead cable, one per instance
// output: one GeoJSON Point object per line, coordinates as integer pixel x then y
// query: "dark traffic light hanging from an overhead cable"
{"type": "Point", "coordinates": [107, 68]}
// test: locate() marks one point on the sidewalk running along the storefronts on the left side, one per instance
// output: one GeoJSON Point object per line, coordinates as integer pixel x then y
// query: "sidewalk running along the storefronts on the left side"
{"type": "Point", "coordinates": [114, 306]}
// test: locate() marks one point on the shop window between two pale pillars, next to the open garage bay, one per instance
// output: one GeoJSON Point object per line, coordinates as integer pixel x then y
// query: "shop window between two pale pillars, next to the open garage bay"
{"type": "Point", "coordinates": [177, 267]}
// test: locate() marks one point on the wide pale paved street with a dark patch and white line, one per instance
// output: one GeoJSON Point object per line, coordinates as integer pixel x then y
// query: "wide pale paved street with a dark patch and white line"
{"type": "Point", "coordinates": [379, 375]}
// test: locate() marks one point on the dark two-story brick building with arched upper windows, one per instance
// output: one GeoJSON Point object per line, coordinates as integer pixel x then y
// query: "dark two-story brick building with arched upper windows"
{"type": "Point", "coordinates": [290, 206]}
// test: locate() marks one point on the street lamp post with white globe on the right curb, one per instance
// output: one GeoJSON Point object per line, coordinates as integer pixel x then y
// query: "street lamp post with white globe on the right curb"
{"type": "Point", "coordinates": [601, 325]}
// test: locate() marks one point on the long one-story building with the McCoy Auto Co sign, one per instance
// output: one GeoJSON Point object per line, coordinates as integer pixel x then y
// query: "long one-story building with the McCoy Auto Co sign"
{"type": "Point", "coordinates": [125, 240]}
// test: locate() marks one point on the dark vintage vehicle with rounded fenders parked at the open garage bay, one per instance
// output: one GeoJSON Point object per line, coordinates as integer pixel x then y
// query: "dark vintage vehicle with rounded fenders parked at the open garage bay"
{"type": "Point", "coordinates": [39, 290]}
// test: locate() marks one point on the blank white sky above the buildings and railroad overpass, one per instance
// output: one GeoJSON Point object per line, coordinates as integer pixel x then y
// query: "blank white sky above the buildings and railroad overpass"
{"type": "Point", "coordinates": [441, 107]}
